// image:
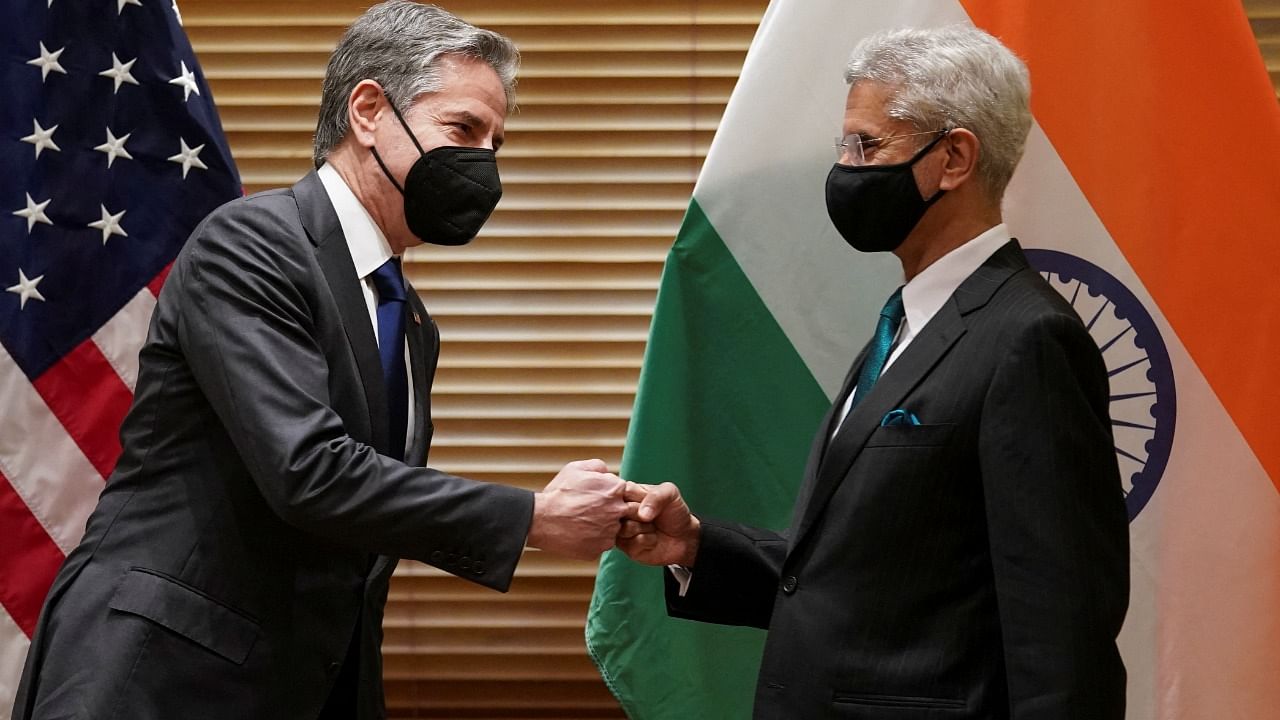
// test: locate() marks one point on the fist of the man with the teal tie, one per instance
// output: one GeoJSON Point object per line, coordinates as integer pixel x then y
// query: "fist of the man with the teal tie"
{"type": "Point", "coordinates": [660, 530]}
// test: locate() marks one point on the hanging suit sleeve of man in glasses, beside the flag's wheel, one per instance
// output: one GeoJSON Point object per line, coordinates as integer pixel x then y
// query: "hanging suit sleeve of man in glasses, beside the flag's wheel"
{"type": "Point", "coordinates": [1058, 526]}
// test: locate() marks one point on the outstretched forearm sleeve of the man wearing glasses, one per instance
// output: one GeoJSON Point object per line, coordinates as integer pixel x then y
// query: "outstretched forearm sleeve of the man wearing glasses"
{"type": "Point", "coordinates": [735, 577]}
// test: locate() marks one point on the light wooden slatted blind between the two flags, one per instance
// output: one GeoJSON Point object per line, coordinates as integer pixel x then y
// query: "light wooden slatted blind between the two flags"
{"type": "Point", "coordinates": [545, 317]}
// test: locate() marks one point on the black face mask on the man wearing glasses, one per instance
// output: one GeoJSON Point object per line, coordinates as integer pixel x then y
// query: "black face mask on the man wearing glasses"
{"type": "Point", "coordinates": [876, 207]}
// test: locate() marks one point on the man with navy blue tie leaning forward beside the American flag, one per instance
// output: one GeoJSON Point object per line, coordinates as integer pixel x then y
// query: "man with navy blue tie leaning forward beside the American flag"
{"type": "Point", "coordinates": [239, 559]}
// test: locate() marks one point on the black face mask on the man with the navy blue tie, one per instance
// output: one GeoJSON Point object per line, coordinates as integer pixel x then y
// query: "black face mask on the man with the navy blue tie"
{"type": "Point", "coordinates": [450, 192]}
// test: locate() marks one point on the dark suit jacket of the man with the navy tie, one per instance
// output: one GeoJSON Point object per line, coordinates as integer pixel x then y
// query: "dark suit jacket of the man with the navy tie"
{"type": "Point", "coordinates": [252, 526]}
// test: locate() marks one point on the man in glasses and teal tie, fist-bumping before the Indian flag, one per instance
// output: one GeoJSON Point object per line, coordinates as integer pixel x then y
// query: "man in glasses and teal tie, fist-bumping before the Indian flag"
{"type": "Point", "coordinates": [959, 548]}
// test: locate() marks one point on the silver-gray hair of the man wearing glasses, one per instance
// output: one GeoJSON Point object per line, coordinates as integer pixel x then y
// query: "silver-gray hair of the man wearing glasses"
{"type": "Point", "coordinates": [954, 78]}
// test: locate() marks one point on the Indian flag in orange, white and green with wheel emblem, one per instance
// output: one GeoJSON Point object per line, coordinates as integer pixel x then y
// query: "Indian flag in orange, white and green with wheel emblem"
{"type": "Point", "coordinates": [1149, 195]}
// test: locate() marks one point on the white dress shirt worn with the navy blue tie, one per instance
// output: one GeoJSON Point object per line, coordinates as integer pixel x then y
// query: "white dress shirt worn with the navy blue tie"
{"type": "Point", "coordinates": [369, 250]}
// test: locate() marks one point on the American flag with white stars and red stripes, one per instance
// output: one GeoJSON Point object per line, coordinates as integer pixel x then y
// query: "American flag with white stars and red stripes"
{"type": "Point", "coordinates": [111, 154]}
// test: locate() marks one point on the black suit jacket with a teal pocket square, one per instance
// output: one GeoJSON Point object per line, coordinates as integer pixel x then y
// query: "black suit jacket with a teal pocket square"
{"type": "Point", "coordinates": [975, 566]}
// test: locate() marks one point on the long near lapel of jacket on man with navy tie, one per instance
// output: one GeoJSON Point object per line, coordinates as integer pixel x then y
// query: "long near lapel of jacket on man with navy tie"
{"type": "Point", "coordinates": [322, 224]}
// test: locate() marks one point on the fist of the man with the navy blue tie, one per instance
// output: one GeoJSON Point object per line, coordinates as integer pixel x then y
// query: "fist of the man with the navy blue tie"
{"type": "Point", "coordinates": [578, 513]}
